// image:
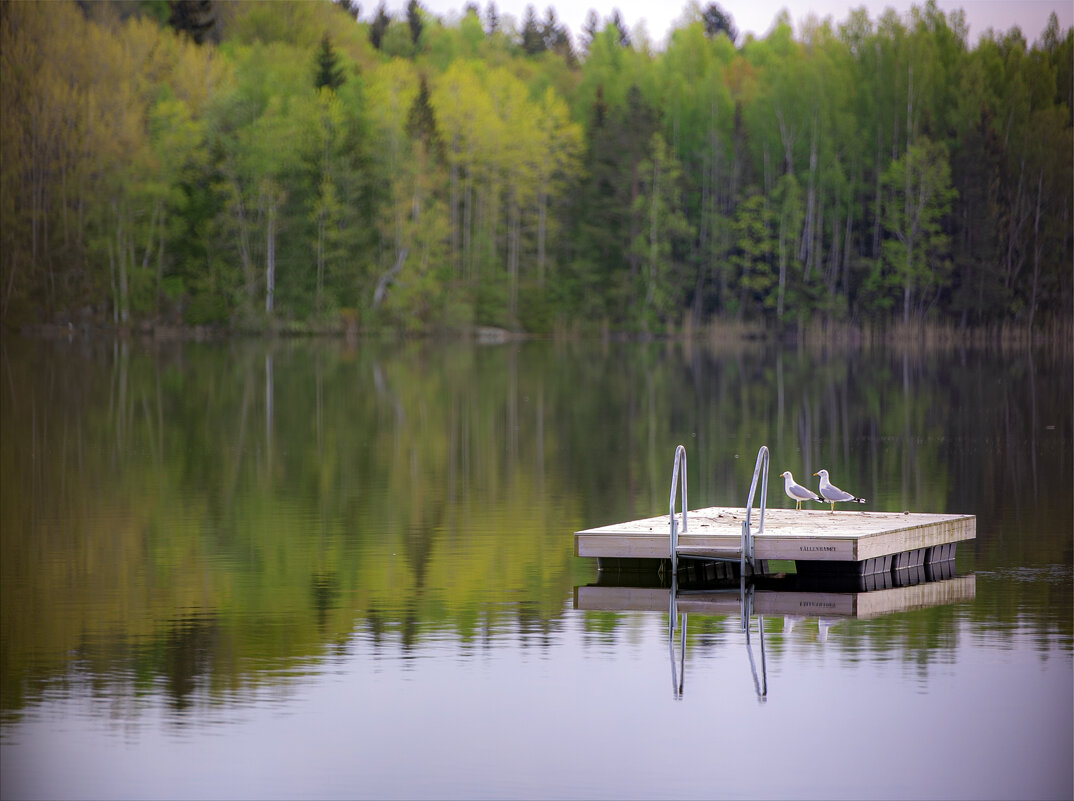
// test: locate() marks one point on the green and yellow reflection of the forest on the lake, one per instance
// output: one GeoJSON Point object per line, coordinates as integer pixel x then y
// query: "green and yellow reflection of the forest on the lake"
{"type": "Point", "coordinates": [474, 465]}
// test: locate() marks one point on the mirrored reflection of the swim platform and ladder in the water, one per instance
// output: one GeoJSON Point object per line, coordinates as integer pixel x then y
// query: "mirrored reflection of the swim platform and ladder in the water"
{"type": "Point", "coordinates": [828, 599]}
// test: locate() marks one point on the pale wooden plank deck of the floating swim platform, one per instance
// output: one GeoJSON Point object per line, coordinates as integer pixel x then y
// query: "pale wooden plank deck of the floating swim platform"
{"type": "Point", "coordinates": [865, 543]}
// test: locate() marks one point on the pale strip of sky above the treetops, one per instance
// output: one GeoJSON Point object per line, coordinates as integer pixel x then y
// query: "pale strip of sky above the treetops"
{"type": "Point", "coordinates": [757, 17]}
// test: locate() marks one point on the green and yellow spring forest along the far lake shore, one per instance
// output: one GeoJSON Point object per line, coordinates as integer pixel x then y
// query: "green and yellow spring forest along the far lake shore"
{"type": "Point", "coordinates": [317, 167]}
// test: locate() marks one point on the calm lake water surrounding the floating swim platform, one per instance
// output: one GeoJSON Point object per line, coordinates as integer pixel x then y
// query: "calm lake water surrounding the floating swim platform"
{"type": "Point", "coordinates": [307, 570]}
